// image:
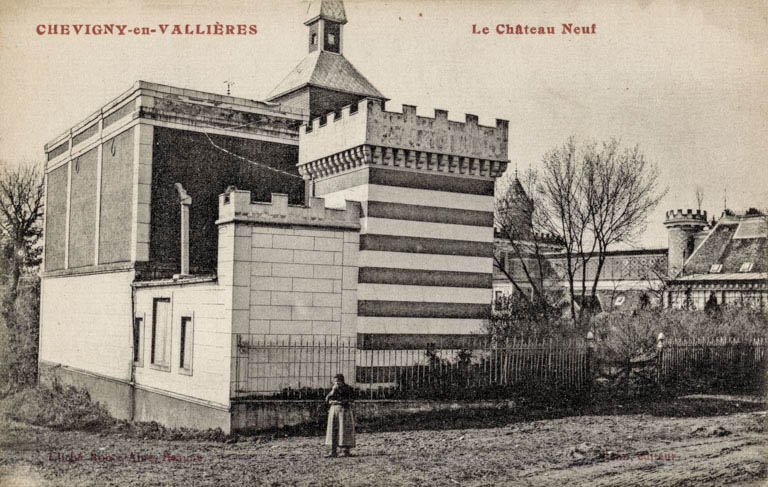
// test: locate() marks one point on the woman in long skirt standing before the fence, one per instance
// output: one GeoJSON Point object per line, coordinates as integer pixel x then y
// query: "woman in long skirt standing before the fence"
{"type": "Point", "coordinates": [341, 424]}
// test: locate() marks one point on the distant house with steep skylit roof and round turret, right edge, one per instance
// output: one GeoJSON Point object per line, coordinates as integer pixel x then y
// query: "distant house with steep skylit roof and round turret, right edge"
{"type": "Point", "coordinates": [729, 263]}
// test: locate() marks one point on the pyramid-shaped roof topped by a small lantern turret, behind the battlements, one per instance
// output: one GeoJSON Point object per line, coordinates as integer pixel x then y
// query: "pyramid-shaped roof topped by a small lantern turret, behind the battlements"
{"type": "Point", "coordinates": [324, 81]}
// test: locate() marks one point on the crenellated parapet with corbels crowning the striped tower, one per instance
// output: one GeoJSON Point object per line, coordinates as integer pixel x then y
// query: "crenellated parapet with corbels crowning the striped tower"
{"type": "Point", "coordinates": [366, 134]}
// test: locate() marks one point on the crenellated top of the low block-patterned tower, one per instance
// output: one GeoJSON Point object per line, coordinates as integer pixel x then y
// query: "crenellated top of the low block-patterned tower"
{"type": "Point", "coordinates": [236, 206]}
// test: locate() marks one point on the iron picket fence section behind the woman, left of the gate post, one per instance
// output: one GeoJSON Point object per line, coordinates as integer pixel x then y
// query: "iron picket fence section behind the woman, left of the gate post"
{"type": "Point", "coordinates": [292, 367]}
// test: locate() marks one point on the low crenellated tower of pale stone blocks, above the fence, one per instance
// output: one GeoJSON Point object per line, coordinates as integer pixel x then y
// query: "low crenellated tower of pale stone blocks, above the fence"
{"type": "Point", "coordinates": [293, 268]}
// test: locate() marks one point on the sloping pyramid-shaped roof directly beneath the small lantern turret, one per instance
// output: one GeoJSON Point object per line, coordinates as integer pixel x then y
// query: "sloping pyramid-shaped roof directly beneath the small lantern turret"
{"type": "Point", "coordinates": [328, 70]}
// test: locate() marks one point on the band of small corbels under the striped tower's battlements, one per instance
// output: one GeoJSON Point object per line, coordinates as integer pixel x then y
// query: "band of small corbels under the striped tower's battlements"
{"type": "Point", "coordinates": [407, 159]}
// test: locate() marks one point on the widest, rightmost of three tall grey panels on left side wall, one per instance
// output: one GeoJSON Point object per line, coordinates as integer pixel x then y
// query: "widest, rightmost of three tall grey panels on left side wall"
{"type": "Point", "coordinates": [116, 199]}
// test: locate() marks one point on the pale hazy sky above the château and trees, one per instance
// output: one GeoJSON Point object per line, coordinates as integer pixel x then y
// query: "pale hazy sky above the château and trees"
{"type": "Point", "coordinates": [685, 80]}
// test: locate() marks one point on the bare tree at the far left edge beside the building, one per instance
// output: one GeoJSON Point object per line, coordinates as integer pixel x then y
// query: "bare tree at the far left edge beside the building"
{"type": "Point", "coordinates": [21, 207]}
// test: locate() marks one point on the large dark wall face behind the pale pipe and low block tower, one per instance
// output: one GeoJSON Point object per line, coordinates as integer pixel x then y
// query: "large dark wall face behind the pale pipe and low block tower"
{"type": "Point", "coordinates": [205, 172]}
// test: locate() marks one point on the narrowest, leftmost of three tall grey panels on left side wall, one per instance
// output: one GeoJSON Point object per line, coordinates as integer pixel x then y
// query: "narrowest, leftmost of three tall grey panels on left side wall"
{"type": "Point", "coordinates": [55, 218]}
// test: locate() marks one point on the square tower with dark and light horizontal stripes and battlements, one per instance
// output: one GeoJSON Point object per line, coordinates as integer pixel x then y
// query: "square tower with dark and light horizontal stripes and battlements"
{"type": "Point", "coordinates": [426, 237]}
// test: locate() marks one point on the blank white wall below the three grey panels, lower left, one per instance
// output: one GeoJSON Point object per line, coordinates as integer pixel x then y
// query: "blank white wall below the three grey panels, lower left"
{"type": "Point", "coordinates": [86, 323]}
